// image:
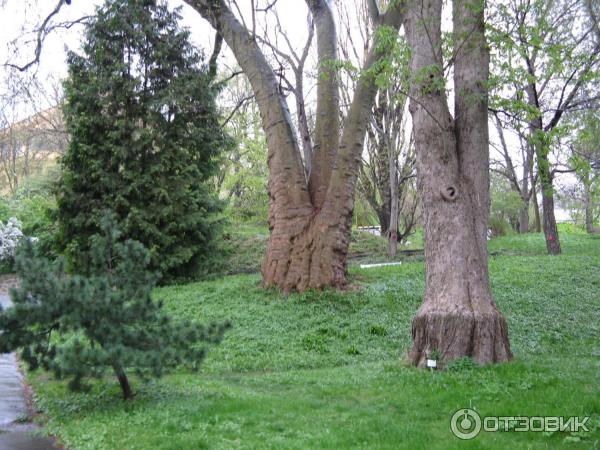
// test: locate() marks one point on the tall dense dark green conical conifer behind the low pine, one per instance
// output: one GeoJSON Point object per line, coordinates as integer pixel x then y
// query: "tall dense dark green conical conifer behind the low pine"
{"type": "Point", "coordinates": [145, 139]}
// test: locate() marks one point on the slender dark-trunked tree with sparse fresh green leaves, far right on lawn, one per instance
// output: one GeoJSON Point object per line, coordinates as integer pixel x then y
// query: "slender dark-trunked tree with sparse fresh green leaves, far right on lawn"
{"type": "Point", "coordinates": [547, 55]}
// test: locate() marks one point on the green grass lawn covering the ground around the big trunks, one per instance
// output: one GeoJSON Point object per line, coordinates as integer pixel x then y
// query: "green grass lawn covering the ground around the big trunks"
{"type": "Point", "coordinates": [325, 369]}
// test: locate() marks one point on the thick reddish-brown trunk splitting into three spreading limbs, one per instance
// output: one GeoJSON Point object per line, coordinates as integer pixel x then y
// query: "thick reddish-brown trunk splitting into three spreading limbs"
{"type": "Point", "coordinates": [309, 220]}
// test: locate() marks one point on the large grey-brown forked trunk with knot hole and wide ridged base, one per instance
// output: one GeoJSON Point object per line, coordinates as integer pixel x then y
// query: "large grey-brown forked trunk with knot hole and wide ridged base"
{"type": "Point", "coordinates": [458, 316]}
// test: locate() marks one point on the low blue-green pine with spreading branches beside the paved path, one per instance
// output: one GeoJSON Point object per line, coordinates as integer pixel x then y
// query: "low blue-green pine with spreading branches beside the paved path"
{"type": "Point", "coordinates": [79, 326]}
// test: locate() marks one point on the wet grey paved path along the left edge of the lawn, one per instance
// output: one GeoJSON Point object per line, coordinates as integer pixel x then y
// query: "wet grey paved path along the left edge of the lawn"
{"type": "Point", "coordinates": [15, 432]}
